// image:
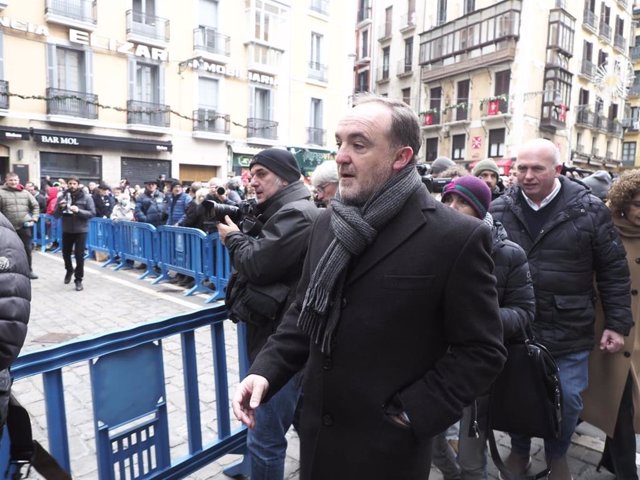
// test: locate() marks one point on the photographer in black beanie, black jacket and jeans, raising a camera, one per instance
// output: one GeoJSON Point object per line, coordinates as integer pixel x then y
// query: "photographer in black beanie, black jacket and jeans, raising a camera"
{"type": "Point", "coordinates": [266, 268]}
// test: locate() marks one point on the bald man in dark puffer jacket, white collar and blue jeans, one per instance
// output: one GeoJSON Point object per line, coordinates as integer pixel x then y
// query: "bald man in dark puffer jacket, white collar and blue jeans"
{"type": "Point", "coordinates": [568, 236]}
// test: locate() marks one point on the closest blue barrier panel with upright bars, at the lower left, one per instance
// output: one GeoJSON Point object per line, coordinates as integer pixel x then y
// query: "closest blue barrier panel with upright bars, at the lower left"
{"type": "Point", "coordinates": [129, 371]}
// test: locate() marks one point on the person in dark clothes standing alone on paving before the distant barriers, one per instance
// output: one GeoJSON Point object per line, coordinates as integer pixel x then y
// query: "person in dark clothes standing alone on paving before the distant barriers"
{"type": "Point", "coordinates": [76, 209]}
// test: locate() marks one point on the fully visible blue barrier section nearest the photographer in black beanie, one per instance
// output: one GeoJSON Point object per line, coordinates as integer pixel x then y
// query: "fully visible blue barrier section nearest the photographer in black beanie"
{"type": "Point", "coordinates": [182, 250]}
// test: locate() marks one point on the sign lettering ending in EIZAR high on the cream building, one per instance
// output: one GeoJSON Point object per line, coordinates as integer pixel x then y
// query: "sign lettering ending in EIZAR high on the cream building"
{"type": "Point", "coordinates": [90, 39]}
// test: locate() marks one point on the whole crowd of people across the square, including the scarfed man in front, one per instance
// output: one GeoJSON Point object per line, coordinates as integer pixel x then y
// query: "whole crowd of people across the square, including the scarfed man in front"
{"type": "Point", "coordinates": [377, 312]}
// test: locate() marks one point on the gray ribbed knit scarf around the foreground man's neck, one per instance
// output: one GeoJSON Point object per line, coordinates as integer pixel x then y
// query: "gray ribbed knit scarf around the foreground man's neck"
{"type": "Point", "coordinates": [354, 228]}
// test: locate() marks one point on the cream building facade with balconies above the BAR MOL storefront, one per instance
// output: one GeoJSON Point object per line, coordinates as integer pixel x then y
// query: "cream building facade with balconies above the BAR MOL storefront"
{"type": "Point", "coordinates": [191, 89]}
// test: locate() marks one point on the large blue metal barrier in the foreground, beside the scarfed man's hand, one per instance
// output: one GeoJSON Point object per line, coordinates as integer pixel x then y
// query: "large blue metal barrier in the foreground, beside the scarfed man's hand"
{"type": "Point", "coordinates": [128, 395]}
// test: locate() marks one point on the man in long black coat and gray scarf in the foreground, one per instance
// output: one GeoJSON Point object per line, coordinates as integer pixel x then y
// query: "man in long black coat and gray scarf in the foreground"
{"type": "Point", "coordinates": [395, 320]}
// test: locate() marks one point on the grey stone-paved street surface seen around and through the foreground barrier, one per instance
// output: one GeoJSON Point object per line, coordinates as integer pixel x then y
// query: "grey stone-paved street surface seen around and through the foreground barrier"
{"type": "Point", "coordinates": [114, 300]}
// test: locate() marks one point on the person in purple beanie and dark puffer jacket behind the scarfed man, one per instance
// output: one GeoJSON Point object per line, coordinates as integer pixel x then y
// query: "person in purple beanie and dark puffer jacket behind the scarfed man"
{"type": "Point", "coordinates": [472, 196]}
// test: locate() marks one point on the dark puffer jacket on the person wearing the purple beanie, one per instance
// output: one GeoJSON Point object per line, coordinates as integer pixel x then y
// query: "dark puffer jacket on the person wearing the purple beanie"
{"type": "Point", "coordinates": [513, 281]}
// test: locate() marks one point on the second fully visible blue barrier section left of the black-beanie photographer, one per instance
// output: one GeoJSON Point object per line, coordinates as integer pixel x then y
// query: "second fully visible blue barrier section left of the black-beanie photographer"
{"type": "Point", "coordinates": [136, 242]}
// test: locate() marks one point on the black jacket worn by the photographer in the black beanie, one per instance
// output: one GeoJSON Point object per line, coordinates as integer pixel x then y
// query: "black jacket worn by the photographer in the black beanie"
{"type": "Point", "coordinates": [270, 261]}
